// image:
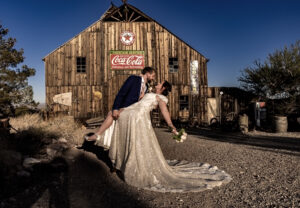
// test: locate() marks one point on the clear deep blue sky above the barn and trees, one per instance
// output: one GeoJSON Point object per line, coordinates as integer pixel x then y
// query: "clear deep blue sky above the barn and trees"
{"type": "Point", "coordinates": [231, 33]}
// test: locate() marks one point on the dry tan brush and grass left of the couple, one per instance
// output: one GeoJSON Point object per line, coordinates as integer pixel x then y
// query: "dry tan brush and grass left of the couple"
{"type": "Point", "coordinates": [62, 126]}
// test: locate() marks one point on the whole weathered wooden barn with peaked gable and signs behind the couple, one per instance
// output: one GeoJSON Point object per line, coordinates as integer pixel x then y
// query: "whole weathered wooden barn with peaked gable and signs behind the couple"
{"type": "Point", "coordinates": [84, 74]}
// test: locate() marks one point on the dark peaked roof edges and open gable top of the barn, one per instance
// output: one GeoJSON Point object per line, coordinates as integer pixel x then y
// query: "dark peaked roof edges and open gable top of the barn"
{"type": "Point", "coordinates": [125, 13]}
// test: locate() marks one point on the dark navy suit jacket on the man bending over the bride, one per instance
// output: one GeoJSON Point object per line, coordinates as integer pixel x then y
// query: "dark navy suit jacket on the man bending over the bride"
{"type": "Point", "coordinates": [129, 92]}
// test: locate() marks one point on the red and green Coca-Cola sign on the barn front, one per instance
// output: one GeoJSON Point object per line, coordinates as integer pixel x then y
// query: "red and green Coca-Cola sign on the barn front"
{"type": "Point", "coordinates": [127, 59]}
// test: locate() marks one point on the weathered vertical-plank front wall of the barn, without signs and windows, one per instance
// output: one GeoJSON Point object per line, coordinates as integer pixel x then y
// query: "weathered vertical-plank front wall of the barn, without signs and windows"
{"type": "Point", "coordinates": [95, 44]}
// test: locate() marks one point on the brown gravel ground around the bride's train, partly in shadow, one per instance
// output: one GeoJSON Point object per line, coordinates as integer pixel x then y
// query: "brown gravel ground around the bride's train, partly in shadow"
{"type": "Point", "coordinates": [265, 170]}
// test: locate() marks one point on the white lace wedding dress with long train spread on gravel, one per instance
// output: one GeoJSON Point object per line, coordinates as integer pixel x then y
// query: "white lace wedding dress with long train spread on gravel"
{"type": "Point", "coordinates": [135, 151]}
